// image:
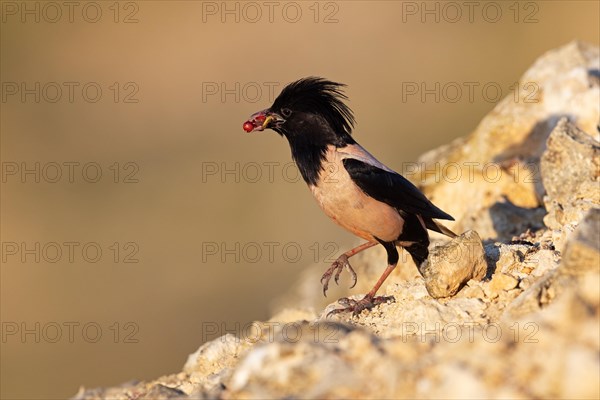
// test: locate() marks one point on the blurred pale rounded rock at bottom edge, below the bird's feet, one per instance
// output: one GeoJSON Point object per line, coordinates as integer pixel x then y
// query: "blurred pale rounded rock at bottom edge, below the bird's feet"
{"type": "Point", "coordinates": [311, 368]}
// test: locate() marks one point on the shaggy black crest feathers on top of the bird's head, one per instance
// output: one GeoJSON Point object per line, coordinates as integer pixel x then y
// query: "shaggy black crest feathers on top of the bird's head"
{"type": "Point", "coordinates": [319, 96]}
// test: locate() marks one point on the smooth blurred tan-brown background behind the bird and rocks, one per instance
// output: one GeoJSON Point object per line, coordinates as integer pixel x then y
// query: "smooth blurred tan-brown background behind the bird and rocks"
{"type": "Point", "coordinates": [138, 220]}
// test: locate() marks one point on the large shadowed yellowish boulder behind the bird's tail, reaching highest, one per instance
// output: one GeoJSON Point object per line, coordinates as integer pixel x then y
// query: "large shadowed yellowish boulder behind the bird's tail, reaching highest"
{"type": "Point", "coordinates": [498, 166]}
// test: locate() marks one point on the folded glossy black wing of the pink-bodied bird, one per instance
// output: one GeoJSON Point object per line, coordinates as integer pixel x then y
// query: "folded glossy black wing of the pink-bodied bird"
{"type": "Point", "coordinates": [392, 188]}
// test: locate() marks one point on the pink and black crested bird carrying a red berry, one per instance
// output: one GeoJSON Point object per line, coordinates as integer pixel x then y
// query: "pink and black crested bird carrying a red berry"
{"type": "Point", "coordinates": [352, 187]}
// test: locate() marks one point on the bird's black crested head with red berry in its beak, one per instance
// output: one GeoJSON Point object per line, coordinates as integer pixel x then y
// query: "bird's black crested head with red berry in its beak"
{"type": "Point", "coordinates": [310, 109]}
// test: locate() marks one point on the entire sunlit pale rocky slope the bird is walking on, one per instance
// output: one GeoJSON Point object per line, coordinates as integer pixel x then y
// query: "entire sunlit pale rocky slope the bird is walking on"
{"type": "Point", "coordinates": [516, 316]}
